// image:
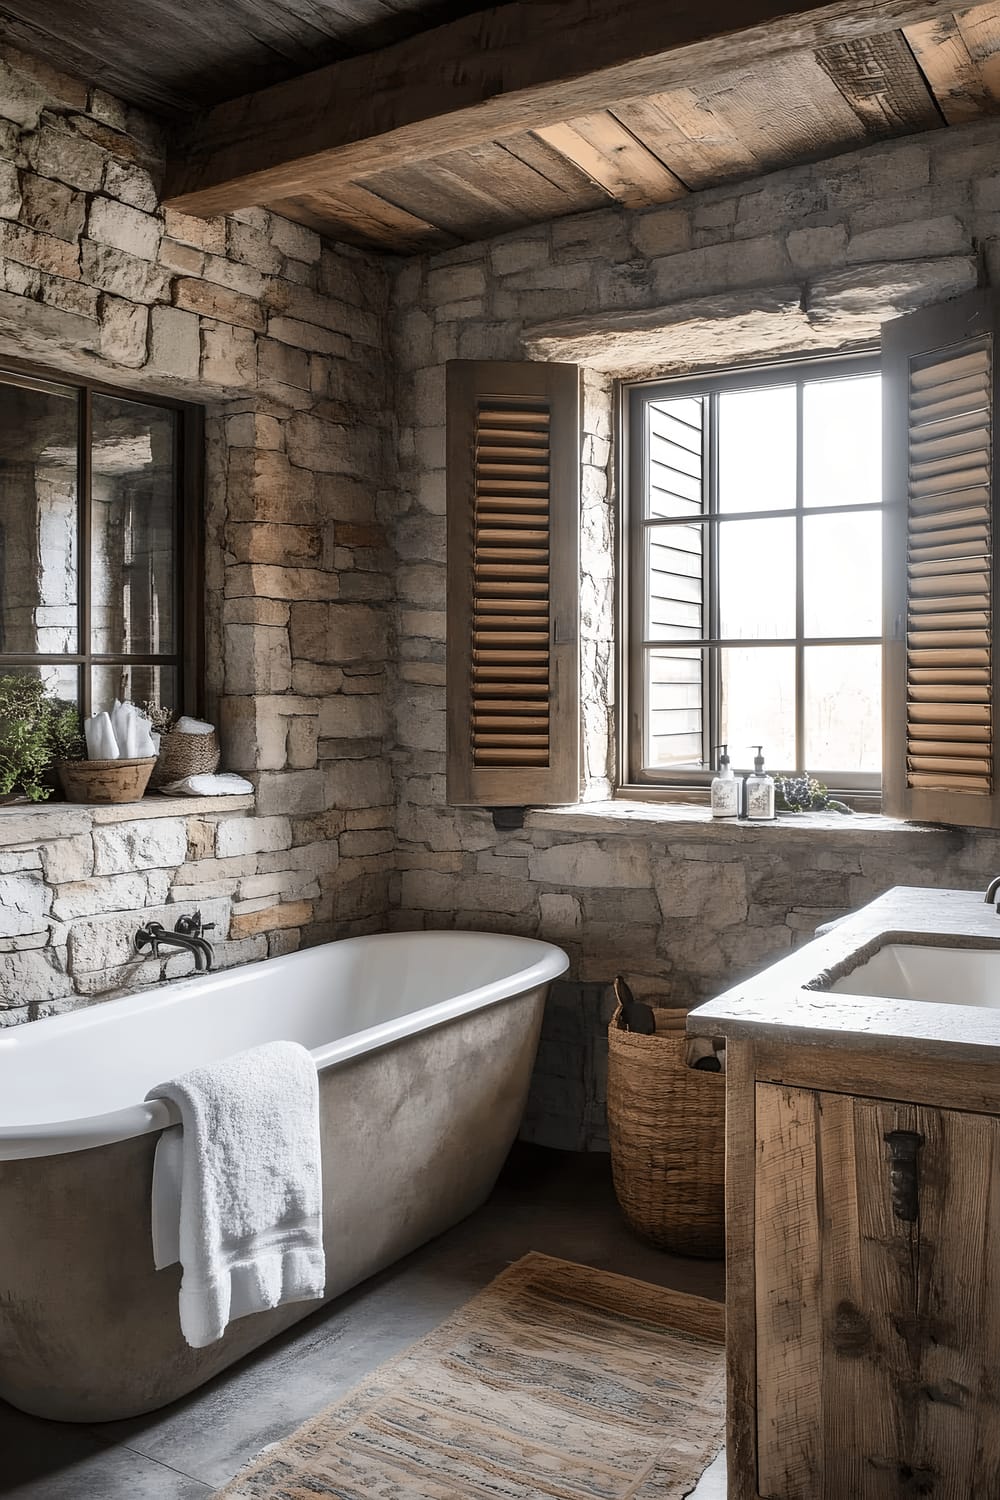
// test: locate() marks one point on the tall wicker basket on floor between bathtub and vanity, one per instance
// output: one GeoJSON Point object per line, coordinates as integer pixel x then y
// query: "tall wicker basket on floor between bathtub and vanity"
{"type": "Point", "coordinates": [668, 1133]}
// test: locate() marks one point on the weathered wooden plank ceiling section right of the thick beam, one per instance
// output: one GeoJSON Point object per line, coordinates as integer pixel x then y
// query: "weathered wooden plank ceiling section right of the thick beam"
{"type": "Point", "coordinates": [659, 148]}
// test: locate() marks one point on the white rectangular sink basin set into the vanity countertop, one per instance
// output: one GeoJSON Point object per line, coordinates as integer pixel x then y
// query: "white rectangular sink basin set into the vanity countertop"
{"type": "Point", "coordinates": [917, 973]}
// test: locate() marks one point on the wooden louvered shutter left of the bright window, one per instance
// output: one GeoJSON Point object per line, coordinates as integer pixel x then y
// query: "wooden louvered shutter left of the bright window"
{"type": "Point", "coordinates": [513, 584]}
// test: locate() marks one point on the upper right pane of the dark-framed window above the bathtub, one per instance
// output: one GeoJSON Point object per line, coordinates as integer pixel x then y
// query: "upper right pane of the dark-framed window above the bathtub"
{"type": "Point", "coordinates": [133, 527]}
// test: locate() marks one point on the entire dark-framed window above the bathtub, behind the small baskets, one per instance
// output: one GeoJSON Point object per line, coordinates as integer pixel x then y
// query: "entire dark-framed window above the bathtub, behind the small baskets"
{"type": "Point", "coordinates": [100, 542]}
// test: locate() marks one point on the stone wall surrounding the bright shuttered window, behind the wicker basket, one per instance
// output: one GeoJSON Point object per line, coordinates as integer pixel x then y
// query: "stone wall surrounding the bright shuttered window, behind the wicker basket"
{"type": "Point", "coordinates": [806, 260]}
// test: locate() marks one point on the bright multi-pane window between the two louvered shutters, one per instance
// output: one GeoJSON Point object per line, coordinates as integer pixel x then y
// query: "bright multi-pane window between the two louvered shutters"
{"type": "Point", "coordinates": [755, 577]}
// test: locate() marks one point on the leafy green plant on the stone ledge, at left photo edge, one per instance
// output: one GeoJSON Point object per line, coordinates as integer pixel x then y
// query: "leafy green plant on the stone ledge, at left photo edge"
{"type": "Point", "coordinates": [35, 733]}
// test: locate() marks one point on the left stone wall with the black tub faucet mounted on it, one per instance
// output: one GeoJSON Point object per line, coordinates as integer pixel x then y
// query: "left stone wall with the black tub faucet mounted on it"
{"type": "Point", "coordinates": [284, 340]}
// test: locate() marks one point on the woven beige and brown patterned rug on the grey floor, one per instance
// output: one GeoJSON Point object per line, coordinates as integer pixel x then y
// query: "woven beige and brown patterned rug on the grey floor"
{"type": "Point", "coordinates": [554, 1382]}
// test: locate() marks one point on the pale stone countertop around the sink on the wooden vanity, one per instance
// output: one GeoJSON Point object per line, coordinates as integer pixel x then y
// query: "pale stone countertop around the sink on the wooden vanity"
{"type": "Point", "coordinates": [779, 1006]}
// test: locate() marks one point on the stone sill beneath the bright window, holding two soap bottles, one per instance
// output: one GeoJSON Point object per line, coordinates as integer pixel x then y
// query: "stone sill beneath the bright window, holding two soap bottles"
{"type": "Point", "coordinates": [695, 821]}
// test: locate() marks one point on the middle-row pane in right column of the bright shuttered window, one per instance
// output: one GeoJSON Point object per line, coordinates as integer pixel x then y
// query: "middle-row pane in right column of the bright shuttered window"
{"type": "Point", "coordinates": [842, 569]}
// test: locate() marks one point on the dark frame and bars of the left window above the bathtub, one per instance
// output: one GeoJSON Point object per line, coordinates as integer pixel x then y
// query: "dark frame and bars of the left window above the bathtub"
{"type": "Point", "coordinates": [188, 658]}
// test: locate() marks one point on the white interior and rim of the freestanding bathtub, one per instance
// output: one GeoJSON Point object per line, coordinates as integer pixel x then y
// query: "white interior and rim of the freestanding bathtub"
{"type": "Point", "coordinates": [100, 1061]}
